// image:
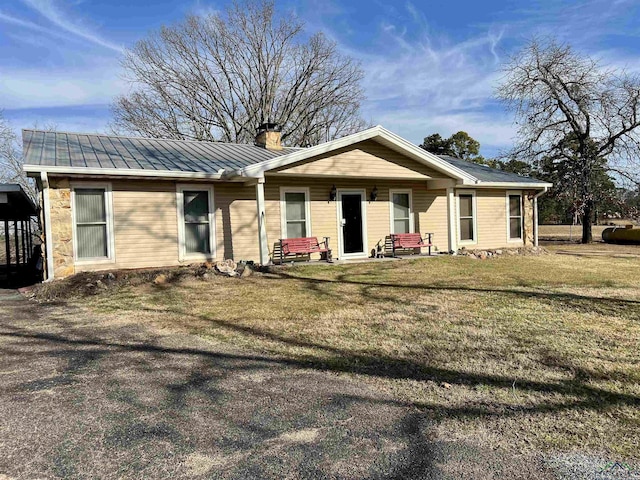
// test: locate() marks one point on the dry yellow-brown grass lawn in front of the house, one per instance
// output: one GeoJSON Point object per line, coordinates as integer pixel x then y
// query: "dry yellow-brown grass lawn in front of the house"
{"type": "Point", "coordinates": [520, 352]}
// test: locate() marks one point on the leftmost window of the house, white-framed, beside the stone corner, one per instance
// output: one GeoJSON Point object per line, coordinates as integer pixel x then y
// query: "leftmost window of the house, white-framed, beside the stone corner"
{"type": "Point", "coordinates": [92, 223]}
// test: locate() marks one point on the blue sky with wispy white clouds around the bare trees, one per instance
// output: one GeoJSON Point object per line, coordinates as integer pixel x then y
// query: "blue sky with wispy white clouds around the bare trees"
{"type": "Point", "coordinates": [430, 66]}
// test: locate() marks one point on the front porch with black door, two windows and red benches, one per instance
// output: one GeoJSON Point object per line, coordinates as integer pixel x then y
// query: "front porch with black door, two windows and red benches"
{"type": "Point", "coordinates": [356, 215]}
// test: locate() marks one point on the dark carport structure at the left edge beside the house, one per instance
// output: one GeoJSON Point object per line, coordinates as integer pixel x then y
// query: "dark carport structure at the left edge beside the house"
{"type": "Point", "coordinates": [16, 220]}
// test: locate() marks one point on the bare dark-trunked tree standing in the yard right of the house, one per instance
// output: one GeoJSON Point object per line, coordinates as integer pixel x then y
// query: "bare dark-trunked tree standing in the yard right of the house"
{"type": "Point", "coordinates": [571, 109]}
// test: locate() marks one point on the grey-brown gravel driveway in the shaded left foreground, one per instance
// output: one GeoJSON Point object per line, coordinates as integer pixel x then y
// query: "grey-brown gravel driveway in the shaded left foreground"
{"type": "Point", "coordinates": [84, 397]}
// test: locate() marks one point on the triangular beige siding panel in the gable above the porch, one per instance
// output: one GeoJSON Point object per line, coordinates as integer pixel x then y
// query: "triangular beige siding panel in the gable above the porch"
{"type": "Point", "coordinates": [365, 159]}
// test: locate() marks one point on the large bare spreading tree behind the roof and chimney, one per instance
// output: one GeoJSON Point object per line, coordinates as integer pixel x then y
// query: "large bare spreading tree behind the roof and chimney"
{"type": "Point", "coordinates": [218, 77]}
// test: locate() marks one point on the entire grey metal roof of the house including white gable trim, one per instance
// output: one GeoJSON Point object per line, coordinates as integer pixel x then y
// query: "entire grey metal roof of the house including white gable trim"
{"type": "Point", "coordinates": [153, 156]}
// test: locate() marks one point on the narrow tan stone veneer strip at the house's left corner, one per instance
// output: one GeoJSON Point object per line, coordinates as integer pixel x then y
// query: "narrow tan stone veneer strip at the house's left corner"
{"type": "Point", "coordinates": [61, 227]}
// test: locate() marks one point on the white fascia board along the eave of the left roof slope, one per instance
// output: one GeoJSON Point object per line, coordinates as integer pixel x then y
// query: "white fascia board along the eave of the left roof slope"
{"type": "Point", "coordinates": [121, 172]}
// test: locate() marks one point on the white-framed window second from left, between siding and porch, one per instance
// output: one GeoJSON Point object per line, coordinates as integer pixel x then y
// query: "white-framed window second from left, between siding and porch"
{"type": "Point", "coordinates": [196, 222]}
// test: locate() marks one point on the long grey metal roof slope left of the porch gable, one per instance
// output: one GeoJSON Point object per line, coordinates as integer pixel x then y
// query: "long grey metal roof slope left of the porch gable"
{"type": "Point", "coordinates": [65, 149]}
